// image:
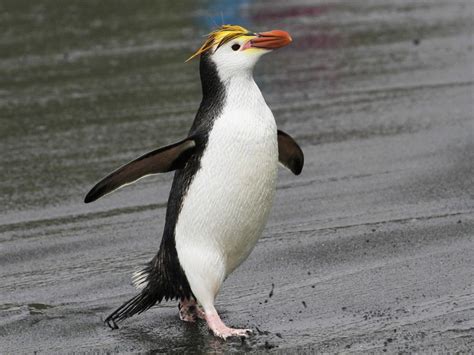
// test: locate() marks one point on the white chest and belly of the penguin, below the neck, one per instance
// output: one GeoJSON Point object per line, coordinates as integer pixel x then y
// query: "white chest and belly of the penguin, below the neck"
{"type": "Point", "coordinates": [228, 202]}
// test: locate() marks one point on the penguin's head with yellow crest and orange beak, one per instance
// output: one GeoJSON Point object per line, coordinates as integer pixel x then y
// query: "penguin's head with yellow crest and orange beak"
{"type": "Point", "coordinates": [235, 50]}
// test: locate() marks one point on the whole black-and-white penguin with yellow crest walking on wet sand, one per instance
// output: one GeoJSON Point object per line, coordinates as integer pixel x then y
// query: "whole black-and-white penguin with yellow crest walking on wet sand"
{"type": "Point", "coordinates": [224, 182]}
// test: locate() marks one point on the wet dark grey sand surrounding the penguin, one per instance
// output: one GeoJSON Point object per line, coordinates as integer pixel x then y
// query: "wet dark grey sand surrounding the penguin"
{"type": "Point", "coordinates": [371, 249]}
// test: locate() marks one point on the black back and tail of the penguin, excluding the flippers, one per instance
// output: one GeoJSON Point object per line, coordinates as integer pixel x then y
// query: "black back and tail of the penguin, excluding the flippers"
{"type": "Point", "coordinates": [165, 276]}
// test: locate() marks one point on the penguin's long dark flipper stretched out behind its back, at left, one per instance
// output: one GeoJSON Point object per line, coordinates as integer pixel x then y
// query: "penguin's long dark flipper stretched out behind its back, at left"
{"type": "Point", "coordinates": [161, 160]}
